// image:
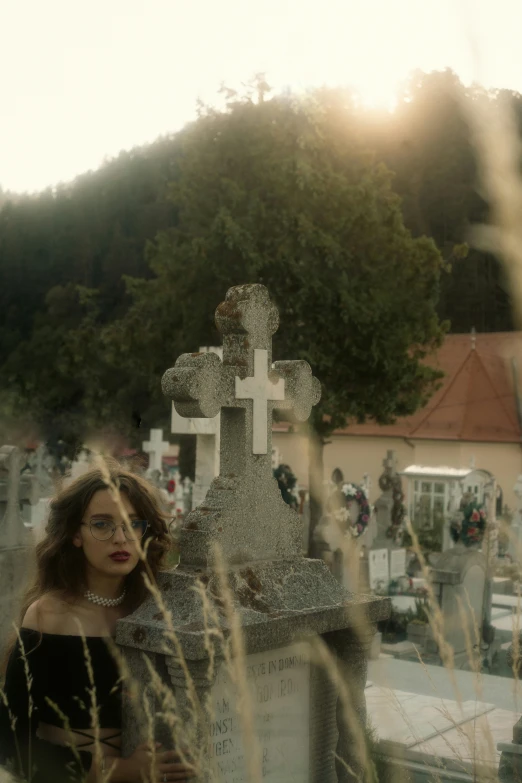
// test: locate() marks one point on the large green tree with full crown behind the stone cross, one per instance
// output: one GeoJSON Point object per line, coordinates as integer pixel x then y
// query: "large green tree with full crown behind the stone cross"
{"type": "Point", "coordinates": [282, 191]}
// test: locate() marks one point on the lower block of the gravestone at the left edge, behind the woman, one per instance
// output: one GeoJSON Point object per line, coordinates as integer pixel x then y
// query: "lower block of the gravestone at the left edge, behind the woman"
{"type": "Point", "coordinates": [16, 566]}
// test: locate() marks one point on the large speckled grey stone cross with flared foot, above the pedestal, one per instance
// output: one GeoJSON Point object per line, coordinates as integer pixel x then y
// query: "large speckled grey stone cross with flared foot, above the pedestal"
{"type": "Point", "coordinates": [243, 510]}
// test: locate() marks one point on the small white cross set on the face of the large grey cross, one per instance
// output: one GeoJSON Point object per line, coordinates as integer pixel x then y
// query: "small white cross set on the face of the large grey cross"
{"type": "Point", "coordinates": [261, 390]}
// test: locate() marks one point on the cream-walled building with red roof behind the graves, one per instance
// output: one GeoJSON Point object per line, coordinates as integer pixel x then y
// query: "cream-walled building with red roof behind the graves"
{"type": "Point", "coordinates": [474, 418]}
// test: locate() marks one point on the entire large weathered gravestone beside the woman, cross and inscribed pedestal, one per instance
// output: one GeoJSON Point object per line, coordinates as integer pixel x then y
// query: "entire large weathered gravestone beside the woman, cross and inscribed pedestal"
{"type": "Point", "coordinates": [281, 600]}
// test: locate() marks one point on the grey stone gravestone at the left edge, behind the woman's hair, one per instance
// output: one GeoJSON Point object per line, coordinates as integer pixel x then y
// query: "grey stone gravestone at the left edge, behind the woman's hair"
{"type": "Point", "coordinates": [16, 544]}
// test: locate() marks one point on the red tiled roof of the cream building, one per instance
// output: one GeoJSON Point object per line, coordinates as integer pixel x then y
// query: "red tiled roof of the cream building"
{"type": "Point", "coordinates": [477, 400]}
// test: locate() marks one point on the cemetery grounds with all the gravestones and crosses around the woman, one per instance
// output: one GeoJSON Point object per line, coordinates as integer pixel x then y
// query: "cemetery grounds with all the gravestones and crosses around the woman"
{"type": "Point", "coordinates": [400, 582]}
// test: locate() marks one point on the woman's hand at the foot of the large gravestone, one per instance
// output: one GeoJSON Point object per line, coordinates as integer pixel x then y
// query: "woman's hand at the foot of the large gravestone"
{"type": "Point", "coordinates": [166, 766]}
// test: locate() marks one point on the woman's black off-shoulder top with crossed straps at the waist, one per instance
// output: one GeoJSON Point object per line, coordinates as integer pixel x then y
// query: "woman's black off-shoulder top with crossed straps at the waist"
{"type": "Point", "coordinates": [58, 669]}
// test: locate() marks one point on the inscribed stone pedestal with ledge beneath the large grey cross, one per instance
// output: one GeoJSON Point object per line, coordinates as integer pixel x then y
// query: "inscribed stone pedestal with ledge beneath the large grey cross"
{"type": "Point", "coordinates": [279, 605]}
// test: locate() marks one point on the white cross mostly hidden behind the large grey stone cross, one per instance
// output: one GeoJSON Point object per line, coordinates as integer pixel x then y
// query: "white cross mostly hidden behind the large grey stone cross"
{"type": "Point", "coordinates": [207, 432]}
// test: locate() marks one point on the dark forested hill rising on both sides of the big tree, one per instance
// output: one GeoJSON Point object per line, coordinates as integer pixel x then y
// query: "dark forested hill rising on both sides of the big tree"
{"type": "Point", "coordinates": [64, 253]}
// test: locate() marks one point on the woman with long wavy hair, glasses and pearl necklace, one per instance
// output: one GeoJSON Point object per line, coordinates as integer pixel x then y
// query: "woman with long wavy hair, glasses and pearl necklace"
{"type": "Point", "coordinates": [89, 575]}
